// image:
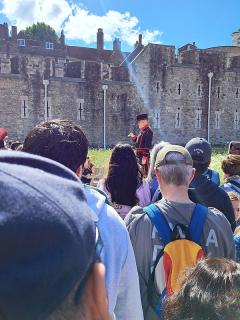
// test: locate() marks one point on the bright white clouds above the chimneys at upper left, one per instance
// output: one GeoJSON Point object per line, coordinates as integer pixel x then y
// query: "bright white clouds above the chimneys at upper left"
{"type": "Point", "coordinates": [77, 22]}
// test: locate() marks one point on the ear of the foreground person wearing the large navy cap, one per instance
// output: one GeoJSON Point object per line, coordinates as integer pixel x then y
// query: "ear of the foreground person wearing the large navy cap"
{"type": "Point", "coordinates": [96, 294]}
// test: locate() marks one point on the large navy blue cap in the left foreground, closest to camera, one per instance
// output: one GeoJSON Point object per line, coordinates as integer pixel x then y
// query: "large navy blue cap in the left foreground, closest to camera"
{"type": "Point", "coordinates": [47, 235]}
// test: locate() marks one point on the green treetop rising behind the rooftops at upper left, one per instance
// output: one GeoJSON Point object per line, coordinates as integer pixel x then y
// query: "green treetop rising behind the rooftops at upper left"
{"type": "Point", "coordinates": [41, 32]}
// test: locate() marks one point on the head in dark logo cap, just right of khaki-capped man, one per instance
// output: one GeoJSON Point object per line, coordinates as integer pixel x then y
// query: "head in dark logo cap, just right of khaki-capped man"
{"type": "Point", "coordinates": [201, 152]}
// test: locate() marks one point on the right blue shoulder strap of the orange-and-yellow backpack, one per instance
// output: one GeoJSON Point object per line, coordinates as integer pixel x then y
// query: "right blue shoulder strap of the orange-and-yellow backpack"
{"type": "Point", "coordinates": [197, 222]}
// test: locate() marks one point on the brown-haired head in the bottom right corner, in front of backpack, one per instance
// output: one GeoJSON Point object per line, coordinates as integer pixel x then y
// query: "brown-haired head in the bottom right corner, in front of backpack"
{"type": "Point", "coordinates": [210, 291]}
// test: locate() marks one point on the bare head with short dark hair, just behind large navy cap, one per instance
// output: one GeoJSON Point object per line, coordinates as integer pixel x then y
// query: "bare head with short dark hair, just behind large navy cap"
{"type": "Point", "coordinates": [59, 140]}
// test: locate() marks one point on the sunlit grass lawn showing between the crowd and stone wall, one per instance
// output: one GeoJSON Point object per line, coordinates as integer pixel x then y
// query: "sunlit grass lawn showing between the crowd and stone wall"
{"type": "Point", "coordinates": [101, 157]}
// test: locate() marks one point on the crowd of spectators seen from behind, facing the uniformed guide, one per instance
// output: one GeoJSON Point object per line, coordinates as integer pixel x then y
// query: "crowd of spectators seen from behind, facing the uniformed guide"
{"type": "Point", "coordinates": [160, 246]}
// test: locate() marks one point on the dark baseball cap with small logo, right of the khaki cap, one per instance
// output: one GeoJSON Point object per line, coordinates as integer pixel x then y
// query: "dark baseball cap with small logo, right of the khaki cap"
{"type": "Point", "coordinates": [200, 150]}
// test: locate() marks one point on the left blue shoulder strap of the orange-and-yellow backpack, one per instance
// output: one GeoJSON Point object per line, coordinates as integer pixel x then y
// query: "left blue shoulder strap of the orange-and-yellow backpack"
{"type": "Point", "coordinates": [160, 222]}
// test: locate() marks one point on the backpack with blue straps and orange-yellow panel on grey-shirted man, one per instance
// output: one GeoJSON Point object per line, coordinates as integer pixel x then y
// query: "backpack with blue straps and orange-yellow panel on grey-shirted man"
{"type": "Point", "coordinates": [182, 249]}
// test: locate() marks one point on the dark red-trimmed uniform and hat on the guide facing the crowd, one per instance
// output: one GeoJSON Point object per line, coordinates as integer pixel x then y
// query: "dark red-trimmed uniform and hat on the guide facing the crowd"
{"type": "Point", "coordinates": [144, 144]}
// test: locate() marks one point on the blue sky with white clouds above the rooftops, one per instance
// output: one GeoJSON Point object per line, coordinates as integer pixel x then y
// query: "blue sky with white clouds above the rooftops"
{"type": "Point", "coordinates": [208, 23]}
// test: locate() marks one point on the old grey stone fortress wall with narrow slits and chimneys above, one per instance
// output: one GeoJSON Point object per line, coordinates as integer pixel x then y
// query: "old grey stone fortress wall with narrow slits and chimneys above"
{"type": "Point", "coordinates": [172, 89]}
